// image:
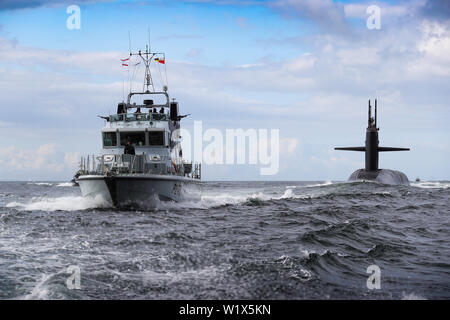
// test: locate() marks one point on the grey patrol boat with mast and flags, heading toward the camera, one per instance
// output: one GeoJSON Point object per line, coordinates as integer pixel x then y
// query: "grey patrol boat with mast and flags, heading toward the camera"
{"type": "Point", "coordinates": [141, 160]}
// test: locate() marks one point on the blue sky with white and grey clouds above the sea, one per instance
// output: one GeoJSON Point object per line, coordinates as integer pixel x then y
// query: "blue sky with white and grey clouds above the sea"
{"type": "Point", "coordinates": [306, 68]}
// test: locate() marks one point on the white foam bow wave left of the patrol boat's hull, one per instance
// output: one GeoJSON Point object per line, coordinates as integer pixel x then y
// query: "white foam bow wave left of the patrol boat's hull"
{"type": "Point", "coordinates": [70, 203]}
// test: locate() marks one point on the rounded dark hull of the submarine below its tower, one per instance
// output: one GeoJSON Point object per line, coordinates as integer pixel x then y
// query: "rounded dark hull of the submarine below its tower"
{"type": "Point", "coordinates": [384, 176]}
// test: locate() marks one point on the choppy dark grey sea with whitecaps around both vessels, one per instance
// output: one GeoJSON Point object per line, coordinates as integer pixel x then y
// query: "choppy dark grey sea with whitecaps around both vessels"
{"type": "Point", "coordinates": [242, 240]}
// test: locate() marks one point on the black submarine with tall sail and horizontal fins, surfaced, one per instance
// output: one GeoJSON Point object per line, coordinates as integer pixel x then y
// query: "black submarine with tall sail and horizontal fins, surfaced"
{"type": "Point", "coordinates": [371, 172]}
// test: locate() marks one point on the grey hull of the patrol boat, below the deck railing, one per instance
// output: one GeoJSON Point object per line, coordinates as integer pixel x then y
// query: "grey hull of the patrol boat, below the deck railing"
{"type": "Point", "coordinates": [139, 190]}
